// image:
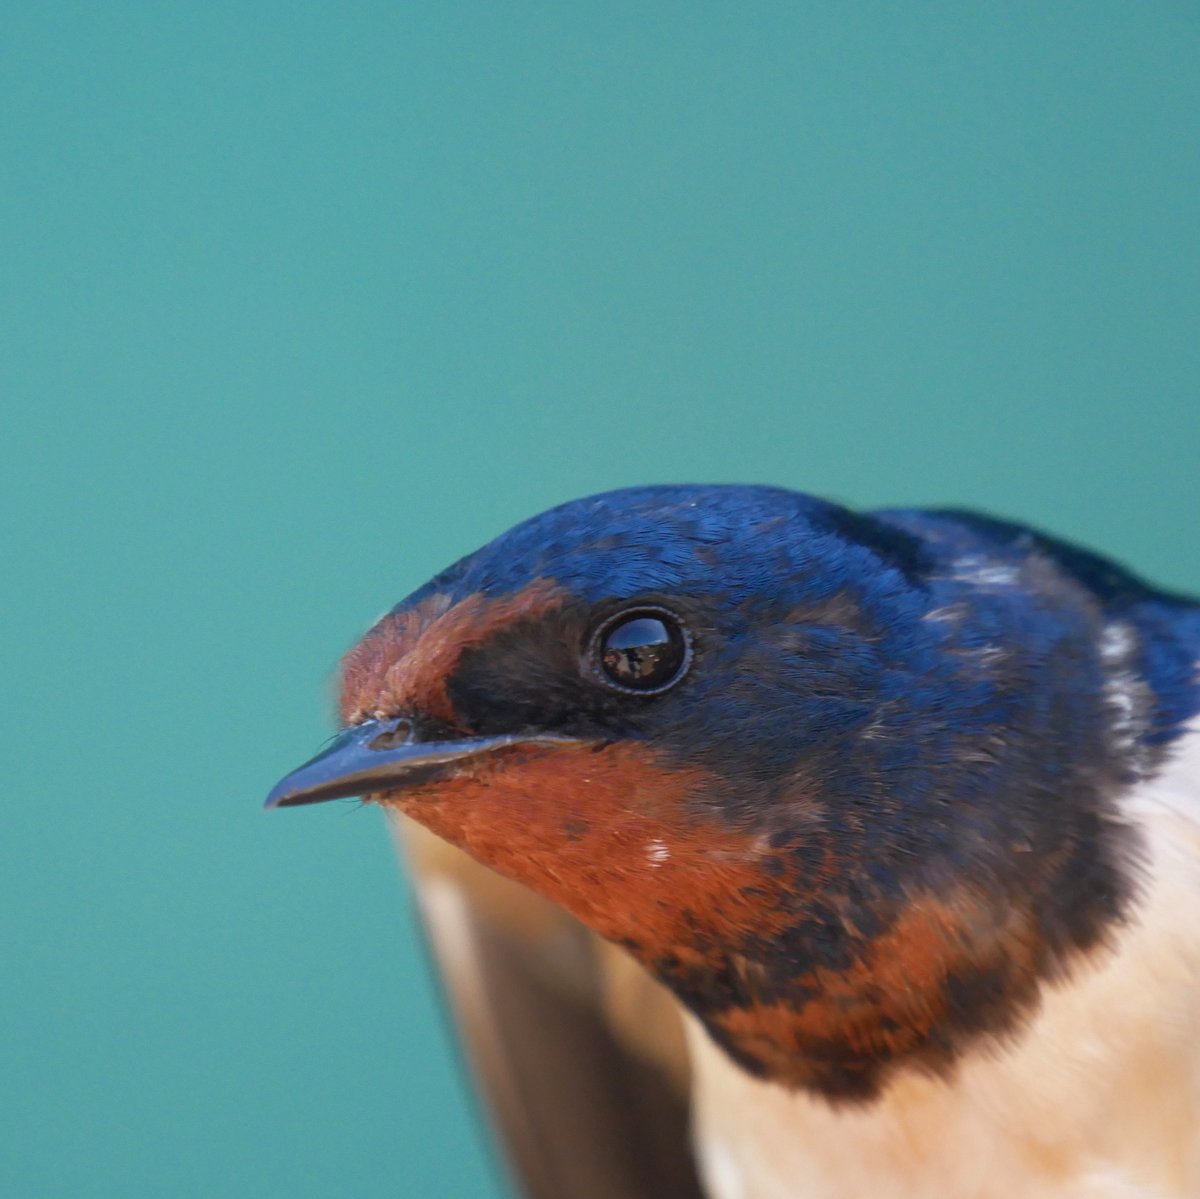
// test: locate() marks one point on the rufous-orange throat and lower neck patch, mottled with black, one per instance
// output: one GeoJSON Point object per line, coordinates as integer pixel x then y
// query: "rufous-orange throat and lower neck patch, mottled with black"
{"type": "Point", "coordinates": [799, 981]}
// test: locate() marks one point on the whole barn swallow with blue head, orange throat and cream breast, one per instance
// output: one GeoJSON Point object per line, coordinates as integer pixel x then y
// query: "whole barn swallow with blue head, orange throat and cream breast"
{"type": "Point", "coordinates": [844, 855]}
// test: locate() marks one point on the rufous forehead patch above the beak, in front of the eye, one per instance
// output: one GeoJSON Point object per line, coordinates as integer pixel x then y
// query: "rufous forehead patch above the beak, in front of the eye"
{"type": "Point", "coordinates": [404, 663]}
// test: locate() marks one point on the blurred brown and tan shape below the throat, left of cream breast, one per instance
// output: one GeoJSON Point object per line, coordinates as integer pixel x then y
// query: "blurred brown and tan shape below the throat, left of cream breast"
{"type": "Point", "coordinates": [578, 1052]}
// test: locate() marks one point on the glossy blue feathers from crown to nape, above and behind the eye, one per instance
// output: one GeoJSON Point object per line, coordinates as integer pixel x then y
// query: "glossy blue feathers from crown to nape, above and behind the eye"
{"type": "Point", "coordinates": [845, 616]}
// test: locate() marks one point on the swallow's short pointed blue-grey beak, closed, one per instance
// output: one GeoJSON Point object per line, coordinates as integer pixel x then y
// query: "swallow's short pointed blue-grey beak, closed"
{"type": "Point", "coordinates": [382, 756]}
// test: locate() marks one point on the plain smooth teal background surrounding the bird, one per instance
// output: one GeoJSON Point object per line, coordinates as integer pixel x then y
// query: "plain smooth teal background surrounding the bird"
{"type": "Point", "coordinates": [303, 302]}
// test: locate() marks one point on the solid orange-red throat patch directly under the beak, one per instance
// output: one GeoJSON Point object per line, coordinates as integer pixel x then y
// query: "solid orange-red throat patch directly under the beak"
{"type": "Point", "coordinates": [601, 835]}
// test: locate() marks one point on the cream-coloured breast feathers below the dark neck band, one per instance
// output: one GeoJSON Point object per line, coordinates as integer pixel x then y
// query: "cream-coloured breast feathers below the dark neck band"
{"type": "Point", "coordinates": [1097, 1099]}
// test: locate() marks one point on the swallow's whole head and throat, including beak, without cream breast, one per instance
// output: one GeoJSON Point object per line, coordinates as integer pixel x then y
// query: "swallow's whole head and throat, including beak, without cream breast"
{"type": "Point", "coordinates": [845, 784]}
